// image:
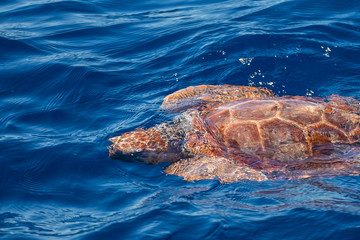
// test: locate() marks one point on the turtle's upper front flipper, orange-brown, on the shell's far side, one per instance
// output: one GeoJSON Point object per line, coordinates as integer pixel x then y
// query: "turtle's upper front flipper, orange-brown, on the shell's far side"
{"type": "Point", "coordinates": [195, 96]}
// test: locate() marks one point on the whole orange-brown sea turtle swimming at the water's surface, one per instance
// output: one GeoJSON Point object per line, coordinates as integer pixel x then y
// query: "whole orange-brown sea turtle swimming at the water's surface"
{"type": "Point", "coordinates": [231, 133]}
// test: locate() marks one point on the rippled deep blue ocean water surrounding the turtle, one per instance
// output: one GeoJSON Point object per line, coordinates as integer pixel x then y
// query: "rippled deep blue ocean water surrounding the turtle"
{"type": "Point", "coordinates": [74, 73]}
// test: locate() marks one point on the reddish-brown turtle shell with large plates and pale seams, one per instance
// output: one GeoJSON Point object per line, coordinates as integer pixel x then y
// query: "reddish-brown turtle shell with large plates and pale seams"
{"type": "Point", "coordinates": [281, 129]}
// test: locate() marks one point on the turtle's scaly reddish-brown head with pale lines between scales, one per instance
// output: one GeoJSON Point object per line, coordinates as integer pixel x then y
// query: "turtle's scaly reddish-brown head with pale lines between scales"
{"type": "Point", "coordinates": [148, 146]}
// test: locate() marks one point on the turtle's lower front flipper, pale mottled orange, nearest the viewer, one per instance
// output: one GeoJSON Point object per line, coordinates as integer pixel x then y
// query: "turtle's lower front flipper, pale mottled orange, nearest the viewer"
{"type": "Point", "coordinates": [205, 167]}
